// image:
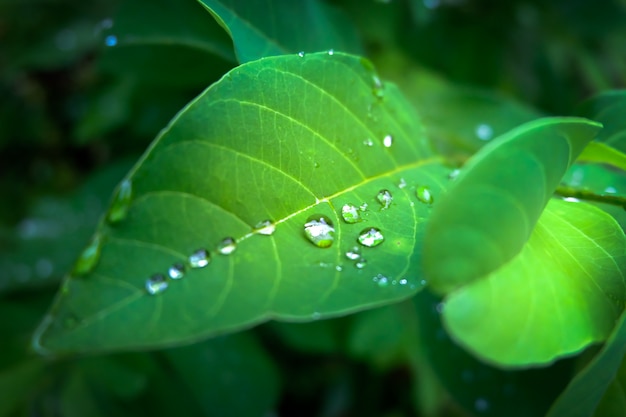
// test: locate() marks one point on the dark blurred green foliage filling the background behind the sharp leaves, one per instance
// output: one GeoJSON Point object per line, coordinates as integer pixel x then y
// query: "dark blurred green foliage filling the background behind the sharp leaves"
{"type": "Point", "coordinates": [76, 112]}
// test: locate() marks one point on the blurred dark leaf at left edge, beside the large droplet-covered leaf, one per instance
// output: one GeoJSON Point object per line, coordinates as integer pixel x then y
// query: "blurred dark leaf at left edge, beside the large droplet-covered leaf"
{"type": "Point", "coordinates": [42, 247]}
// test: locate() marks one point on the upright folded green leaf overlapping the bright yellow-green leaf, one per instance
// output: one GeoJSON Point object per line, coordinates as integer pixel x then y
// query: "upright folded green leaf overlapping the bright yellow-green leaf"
{"type": "Point", "coordinates": [489, 212]}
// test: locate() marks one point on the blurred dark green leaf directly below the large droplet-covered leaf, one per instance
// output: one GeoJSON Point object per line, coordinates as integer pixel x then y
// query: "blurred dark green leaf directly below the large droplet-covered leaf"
{"type": "Point", "coordinates": [228, 376]}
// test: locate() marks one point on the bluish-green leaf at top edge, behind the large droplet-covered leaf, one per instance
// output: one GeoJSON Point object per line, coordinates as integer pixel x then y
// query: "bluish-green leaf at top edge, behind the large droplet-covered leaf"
{"type": "Point", "coordinates": [307, 25]}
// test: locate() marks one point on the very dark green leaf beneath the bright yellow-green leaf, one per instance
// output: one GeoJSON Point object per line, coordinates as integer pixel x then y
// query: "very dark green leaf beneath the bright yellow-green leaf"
{"type": "Point", "coordinates": [478, 387]}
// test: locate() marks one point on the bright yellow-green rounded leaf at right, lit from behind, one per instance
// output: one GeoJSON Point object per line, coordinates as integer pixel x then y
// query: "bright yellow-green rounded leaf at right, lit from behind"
{"type": "Point", "coordinates": [564, 291]}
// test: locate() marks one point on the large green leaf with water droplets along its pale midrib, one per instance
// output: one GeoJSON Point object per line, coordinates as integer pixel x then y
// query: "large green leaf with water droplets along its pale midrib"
{"type": "Point", "coordinates": [280, 139]}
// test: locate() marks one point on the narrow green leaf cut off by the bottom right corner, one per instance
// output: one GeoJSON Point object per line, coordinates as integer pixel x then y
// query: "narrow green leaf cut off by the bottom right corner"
{"type": "Point", "coordinates": [584, 392]}
